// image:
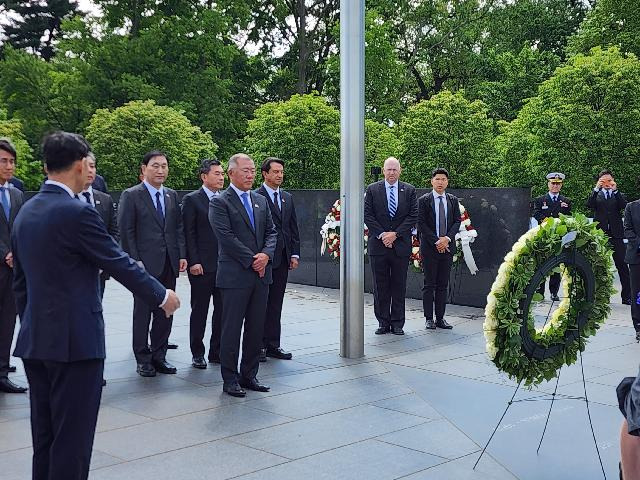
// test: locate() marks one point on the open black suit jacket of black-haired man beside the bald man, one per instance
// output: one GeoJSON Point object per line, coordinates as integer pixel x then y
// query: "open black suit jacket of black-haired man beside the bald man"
{"type": "Point", "coordinates": [427, 222]}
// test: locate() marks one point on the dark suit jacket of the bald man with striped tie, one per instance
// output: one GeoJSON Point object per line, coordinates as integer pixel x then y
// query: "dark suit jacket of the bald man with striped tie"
{"type": "Point", "coordinates": [376, 216]}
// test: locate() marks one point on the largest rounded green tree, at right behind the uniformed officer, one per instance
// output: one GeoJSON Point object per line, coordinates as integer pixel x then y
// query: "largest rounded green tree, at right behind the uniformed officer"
{"type": "Point", "coordinates": [585, 118]}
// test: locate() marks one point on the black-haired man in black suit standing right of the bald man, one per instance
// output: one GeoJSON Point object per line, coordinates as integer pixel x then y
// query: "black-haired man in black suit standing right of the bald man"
{"type": "Point", "coordinates": [438, 223]}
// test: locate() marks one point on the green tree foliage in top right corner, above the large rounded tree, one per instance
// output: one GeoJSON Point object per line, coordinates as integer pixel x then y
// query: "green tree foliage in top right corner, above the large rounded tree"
{"type": "Point", "coordinates": [610, 23]}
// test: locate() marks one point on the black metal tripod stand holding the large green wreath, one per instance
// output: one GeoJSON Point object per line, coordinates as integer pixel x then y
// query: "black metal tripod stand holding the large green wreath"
{"type": "Point", "coordinates": [540, 352]}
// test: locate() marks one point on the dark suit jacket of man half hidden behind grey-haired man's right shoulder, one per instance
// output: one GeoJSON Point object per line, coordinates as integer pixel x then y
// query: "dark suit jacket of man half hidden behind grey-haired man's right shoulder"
{"type": "Point", "coordinates": [202, 244]}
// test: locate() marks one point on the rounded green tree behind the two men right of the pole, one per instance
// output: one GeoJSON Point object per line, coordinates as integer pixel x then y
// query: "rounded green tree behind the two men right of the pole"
{"type": "Point", "coordinates": [448, 131]}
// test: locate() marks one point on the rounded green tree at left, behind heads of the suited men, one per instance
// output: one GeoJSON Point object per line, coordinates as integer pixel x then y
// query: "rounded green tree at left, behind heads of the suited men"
{"type": "Point", "coordinates": [121, 137]}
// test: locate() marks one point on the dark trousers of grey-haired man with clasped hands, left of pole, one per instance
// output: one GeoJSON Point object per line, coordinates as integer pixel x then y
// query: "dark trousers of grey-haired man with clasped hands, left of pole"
{"type": "Point", "coordinates": [242, 306]}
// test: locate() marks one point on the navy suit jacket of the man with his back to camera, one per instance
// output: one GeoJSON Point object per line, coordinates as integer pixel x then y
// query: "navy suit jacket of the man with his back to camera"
{"type": "Point", "coordinates": [59, 244]}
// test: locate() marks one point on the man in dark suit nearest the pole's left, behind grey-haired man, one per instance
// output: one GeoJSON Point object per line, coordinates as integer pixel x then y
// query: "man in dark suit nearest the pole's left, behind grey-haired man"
{"type": "Point", "coordinates": [286, 256]}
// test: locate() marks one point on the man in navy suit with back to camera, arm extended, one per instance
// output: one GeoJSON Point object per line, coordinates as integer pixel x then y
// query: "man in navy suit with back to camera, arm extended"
{"type": "Point", "coordinates": [59, 244]}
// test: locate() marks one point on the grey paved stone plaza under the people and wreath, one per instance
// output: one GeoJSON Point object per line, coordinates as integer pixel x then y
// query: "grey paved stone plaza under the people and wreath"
{"type": "Point", "coordinates": [416, 407]}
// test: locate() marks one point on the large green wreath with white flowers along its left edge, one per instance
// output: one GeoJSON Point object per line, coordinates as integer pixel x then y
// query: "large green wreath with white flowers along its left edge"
{"type": "Point", "coordinates": [579, 251]}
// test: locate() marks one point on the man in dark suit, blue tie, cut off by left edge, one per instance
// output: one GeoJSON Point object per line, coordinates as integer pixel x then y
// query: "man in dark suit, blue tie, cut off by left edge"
{"type": "Point", "coordinates": [11, 200]}
